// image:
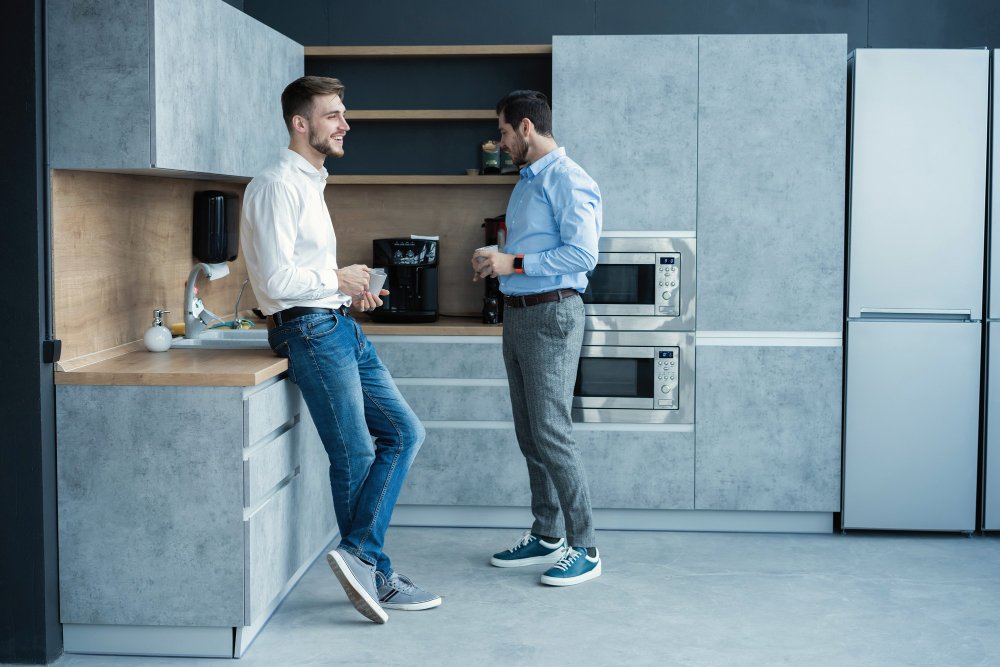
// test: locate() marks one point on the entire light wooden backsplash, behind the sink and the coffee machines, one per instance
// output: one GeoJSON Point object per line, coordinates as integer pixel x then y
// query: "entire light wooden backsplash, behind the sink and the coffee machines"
{"type": "Point", "coordinates": [122, 247]}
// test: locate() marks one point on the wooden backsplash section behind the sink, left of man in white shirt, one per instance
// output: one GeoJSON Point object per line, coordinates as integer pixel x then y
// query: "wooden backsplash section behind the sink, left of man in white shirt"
{"type": "Point", "coordinates": [121, 247]}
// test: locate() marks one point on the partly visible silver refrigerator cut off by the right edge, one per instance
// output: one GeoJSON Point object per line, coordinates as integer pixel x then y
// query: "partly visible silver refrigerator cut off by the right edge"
{"type": "Point", "coordinates": [991, 449]}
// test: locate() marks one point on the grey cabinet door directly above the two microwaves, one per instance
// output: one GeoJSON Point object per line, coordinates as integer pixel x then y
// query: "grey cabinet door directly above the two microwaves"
{"type": "Point", "coordinates": [625, 108]}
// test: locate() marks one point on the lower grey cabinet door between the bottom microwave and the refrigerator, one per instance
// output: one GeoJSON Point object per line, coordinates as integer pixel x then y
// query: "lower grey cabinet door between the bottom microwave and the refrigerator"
{"type": "Point", "coordinates": [767, 431]}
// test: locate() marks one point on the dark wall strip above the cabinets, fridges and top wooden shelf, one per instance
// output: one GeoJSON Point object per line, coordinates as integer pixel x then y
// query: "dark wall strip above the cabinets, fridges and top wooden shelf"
{"type": "Point", "coordinates": [876, 23]}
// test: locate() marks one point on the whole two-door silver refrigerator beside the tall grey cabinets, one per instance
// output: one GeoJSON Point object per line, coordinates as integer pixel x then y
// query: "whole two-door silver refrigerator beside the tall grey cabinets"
{"type": "Point", "coordinates": [916, 246]}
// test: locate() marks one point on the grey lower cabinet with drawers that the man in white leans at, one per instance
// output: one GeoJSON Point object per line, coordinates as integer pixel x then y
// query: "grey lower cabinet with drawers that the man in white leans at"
{"type": "Point", "coordinates": [184, 507]}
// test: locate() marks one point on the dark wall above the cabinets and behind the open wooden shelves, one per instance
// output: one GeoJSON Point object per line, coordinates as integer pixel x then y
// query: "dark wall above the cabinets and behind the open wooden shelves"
{"type": "Point", "coordinates": [476, 83]}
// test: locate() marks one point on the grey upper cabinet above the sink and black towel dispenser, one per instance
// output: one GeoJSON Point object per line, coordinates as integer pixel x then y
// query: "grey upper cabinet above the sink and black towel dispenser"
{"type": "Point", "coordinates": [184, 85]}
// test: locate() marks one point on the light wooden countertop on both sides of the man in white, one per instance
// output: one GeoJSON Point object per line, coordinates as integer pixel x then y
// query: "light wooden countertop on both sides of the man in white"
{"type": "Point", "coordinates": [133, 365]}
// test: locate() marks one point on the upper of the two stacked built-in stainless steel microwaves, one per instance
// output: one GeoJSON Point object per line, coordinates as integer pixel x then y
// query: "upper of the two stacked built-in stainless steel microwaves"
{"type": "Point", "coordinates": [642, 284]}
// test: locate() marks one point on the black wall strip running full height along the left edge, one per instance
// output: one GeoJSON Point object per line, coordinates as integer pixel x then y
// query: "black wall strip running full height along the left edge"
{"type": "Point", "coordinates": [29, 614]}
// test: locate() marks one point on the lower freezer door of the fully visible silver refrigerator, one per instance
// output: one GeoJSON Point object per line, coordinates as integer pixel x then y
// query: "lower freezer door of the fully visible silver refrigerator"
{"type": "Point", "coordinates": [911, 425]}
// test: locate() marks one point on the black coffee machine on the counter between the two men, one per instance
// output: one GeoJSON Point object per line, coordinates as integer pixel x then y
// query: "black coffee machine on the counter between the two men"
{"type": "Point", "coordinates": [411, 277]}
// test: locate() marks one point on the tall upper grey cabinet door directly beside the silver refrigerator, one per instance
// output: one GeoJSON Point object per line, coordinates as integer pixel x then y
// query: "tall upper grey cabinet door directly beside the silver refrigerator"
{"type": "Point", "coordinates": [771, 152]}
